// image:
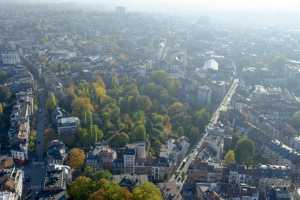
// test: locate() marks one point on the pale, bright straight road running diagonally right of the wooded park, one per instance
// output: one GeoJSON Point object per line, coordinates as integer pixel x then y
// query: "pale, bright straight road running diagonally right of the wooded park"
{"type": "Point", "coordinates": [180, 176]}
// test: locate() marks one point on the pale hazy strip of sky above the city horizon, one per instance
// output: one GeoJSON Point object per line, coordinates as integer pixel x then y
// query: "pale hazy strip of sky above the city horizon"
{"type": "Point", "coordinates": [194, 5]}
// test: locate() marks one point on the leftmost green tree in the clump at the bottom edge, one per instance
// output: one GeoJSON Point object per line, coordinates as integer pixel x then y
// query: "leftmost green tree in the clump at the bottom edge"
{"type": "Point", "coordinates": [81, 188]}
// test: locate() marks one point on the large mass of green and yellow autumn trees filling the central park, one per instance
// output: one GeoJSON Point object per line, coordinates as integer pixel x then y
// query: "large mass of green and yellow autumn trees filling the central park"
{"type": "Point", "coordinates": [123, 110]}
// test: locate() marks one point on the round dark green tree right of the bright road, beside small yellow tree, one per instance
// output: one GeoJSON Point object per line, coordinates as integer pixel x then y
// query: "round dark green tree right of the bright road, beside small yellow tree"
{"type": "Point", "coordinates": [244, 151]}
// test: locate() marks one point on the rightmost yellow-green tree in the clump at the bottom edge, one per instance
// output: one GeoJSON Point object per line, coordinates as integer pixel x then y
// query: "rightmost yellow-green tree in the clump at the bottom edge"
{"type": "Point", "coordinates": [147, 191]}
